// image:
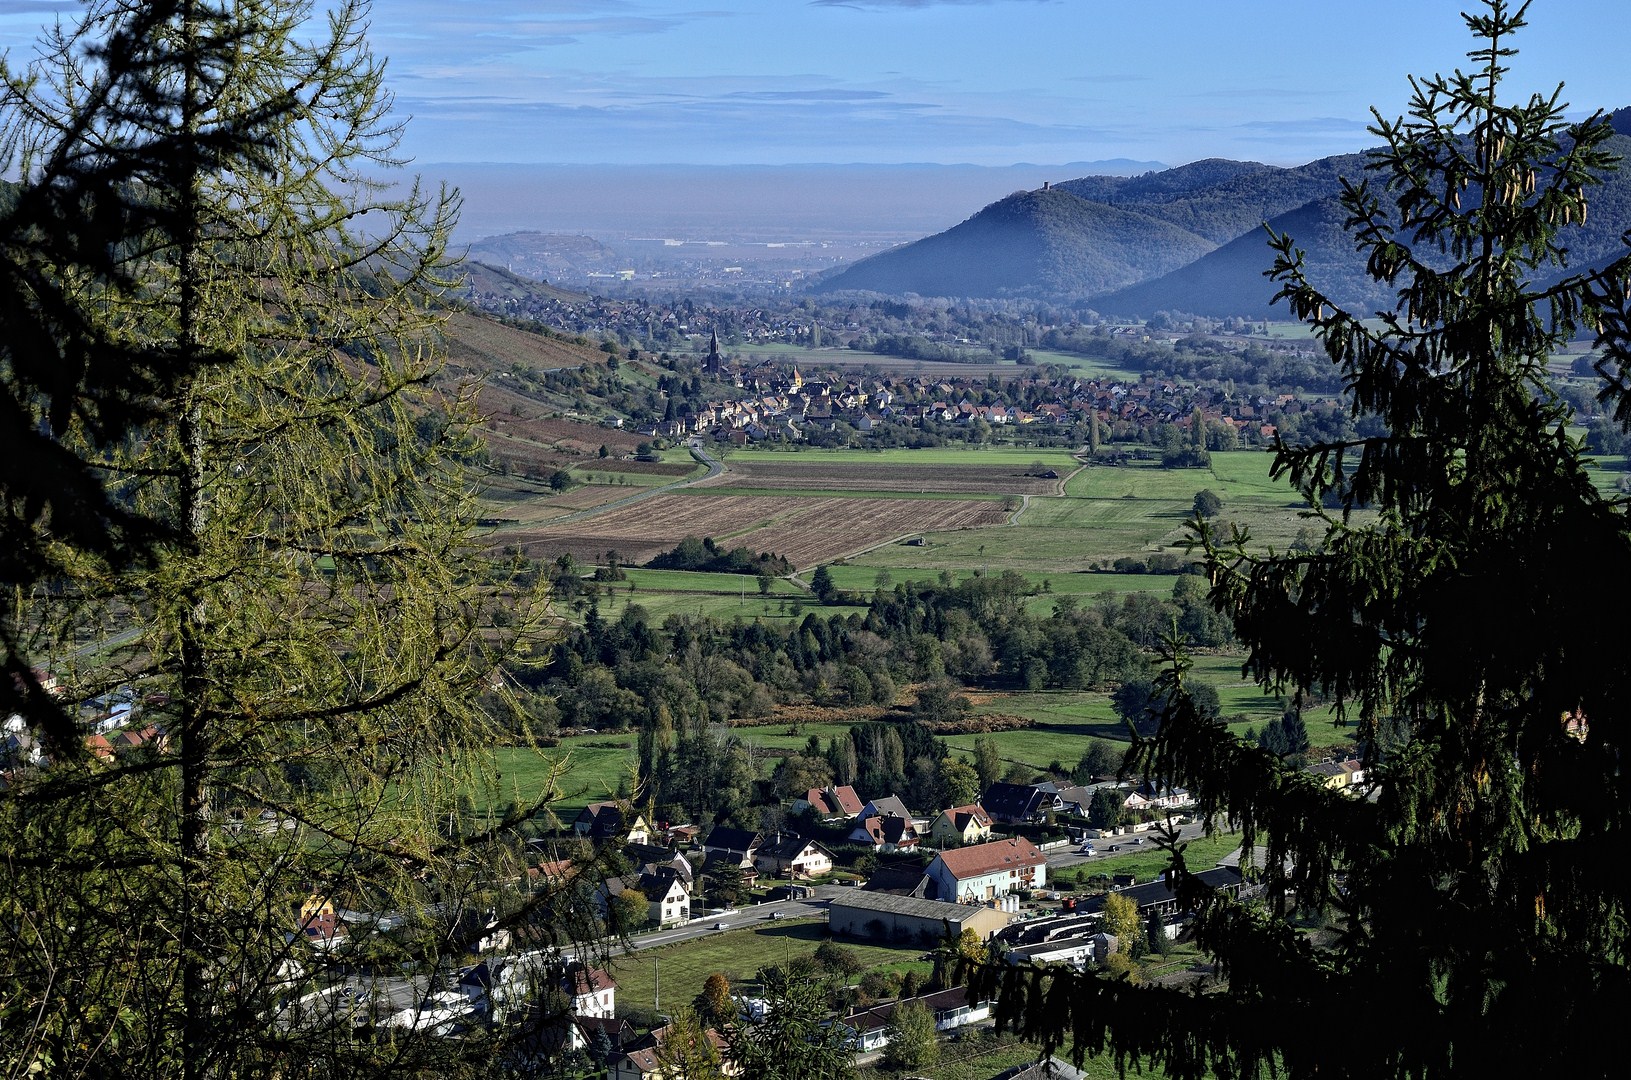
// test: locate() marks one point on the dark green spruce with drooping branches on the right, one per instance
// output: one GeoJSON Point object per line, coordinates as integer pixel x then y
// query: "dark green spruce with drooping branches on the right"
{"type": "Point", "coordinates": [1459, 624]}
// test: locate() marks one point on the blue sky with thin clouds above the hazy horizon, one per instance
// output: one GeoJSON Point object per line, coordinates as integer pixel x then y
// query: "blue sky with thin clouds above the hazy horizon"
{"type": "Point", "coordinates": [988, 82]}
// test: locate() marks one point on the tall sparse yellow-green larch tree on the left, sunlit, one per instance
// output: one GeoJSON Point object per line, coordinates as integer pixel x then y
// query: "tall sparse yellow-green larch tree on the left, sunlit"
{"type": "Point", "coordinates": [309, 632]}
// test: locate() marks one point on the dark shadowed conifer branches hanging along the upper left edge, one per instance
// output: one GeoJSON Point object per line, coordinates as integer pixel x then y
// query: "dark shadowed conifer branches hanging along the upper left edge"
{"type": "Point", "coordinates": [77, 221]}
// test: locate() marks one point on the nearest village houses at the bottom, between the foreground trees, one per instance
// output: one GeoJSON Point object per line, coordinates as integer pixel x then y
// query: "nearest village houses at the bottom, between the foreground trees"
{"type": "Point", "coordinates": [968, 887]}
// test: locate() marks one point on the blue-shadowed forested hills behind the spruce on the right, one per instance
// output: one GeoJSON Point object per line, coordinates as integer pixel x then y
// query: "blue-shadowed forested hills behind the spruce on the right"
{"type": "Point", "coordinates": [1187, 239]}
